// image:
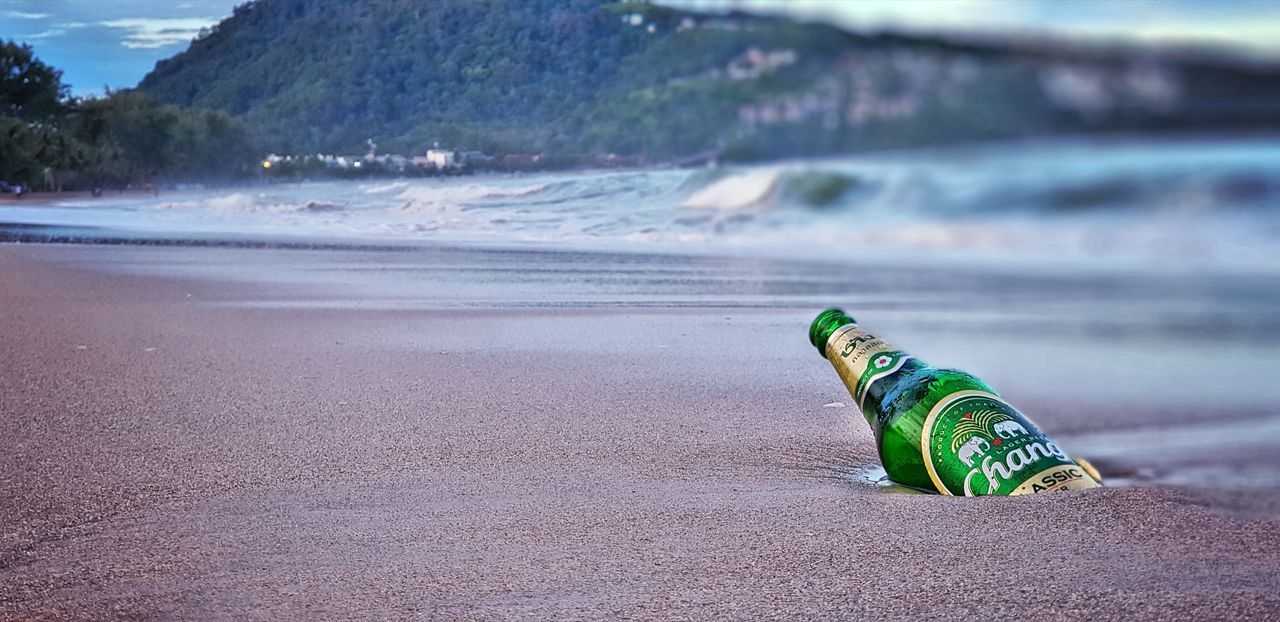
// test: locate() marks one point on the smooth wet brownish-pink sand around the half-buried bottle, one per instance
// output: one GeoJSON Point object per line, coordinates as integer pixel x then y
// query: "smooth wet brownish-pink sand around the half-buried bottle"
{"type": "Point", "coordinates": [189, 445]}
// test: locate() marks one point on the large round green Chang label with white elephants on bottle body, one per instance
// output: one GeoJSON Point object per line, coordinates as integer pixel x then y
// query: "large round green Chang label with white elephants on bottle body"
{"type": "Point", "coordinates": [975, 443]}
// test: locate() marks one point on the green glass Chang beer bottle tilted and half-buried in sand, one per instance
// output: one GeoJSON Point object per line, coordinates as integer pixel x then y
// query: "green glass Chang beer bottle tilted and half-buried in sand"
{"type": "Point", "coordinates": [938, 429]}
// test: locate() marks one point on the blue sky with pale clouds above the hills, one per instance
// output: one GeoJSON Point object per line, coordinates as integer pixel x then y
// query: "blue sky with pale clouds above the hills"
{"type": "Point", "coordinates": [116, 43]}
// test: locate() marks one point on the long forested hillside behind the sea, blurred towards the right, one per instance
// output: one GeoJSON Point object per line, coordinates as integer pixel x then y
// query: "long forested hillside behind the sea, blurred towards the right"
{"type": "Point", "coordinates": [593, 77]}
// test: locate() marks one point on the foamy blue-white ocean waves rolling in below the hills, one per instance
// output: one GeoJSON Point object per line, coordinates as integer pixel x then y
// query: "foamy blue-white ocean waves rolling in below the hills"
{"type": "Point", "coordinates": [1176, 204]}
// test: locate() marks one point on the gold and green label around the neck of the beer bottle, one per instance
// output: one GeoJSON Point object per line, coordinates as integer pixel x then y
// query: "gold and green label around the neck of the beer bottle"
{"type": "Point", "coordinates": [867, 364]}
